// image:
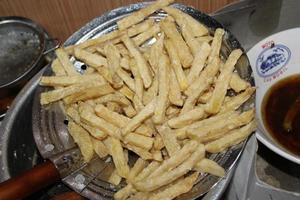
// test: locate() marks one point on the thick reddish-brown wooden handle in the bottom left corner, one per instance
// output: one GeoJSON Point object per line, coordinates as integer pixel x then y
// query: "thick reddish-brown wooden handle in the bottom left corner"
{"type": "Point", "coordinates": [29, 182]}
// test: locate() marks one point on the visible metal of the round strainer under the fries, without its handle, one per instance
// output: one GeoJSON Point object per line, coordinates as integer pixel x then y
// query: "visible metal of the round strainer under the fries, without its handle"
{"type": "Point", "coordinates": [49, 128]}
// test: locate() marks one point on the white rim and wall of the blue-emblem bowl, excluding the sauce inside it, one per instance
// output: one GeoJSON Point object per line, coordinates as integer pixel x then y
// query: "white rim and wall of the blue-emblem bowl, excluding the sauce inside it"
{"type": "Point", "coordinates": [285, 44]}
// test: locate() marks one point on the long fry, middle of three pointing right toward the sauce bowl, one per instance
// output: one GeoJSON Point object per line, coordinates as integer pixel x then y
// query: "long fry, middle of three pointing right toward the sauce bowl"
{"type": "Point", "coordinates": [202, 134]}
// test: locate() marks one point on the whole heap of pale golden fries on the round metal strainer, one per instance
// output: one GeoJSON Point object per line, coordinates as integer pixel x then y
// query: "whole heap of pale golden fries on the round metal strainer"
{"type": "Point", "coordinates": [157, 89]}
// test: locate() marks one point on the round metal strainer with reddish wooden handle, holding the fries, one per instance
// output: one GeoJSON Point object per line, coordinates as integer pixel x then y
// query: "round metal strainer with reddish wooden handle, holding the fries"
{"type": "Point", "coordinates": [64, 160]}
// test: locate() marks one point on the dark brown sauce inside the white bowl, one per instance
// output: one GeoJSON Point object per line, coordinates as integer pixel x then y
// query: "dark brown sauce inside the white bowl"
{"type": "Point", "coordinates": [278, 101]}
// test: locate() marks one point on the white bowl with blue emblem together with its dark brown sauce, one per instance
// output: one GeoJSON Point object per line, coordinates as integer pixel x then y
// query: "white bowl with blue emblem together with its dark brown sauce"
{"type": "Point", "coordinates": [276, 66]}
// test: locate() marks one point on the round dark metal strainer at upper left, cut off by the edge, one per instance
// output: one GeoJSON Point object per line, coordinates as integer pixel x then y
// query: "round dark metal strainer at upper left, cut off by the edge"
{"type": "Point", "coordinates": [22, 43]}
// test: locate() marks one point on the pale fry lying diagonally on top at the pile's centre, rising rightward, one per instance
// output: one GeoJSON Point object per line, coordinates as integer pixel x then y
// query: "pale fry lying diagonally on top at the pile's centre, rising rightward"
{"type": "Point", "coordinates": [135, 122]}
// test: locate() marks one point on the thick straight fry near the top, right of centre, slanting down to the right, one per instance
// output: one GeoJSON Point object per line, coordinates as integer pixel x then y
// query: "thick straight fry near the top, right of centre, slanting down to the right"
{"type": "Point", "coordinates": [169, 28]}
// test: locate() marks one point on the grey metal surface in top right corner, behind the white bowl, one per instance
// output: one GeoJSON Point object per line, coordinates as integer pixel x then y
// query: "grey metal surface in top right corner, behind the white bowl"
{"type": "Point", "coordinates": [263, 18]}
